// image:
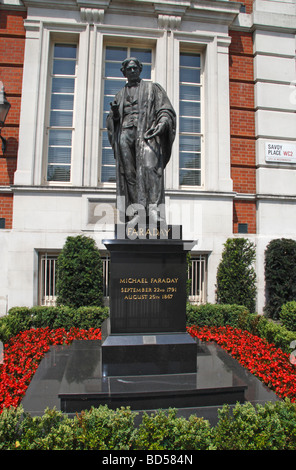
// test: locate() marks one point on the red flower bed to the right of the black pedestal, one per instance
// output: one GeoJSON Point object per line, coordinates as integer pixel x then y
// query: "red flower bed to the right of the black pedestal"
{"type": "Point", "coordinates": [269, 363]}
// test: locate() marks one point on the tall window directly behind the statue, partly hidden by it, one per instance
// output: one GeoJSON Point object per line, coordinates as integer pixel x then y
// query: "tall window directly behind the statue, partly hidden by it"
{"type": "Point", "coordinates": [113, 82]}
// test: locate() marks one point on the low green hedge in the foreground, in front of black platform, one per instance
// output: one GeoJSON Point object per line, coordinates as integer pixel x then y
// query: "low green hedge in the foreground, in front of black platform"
{"type": "Point", "coordinates": [246, 427]}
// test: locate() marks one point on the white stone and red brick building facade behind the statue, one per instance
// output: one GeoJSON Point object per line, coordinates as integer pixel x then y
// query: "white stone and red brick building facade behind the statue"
{"type": "Point", "coordinates": [228, 68]}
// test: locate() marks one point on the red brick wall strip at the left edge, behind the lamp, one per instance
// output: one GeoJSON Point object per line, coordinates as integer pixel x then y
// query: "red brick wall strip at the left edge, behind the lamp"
{"type": "Point", "coordinates": [12, 44]}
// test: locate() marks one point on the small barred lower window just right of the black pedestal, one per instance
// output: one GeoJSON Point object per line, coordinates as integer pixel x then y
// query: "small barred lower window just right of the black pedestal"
{"type": "Point", "coordinates": [197, 276]}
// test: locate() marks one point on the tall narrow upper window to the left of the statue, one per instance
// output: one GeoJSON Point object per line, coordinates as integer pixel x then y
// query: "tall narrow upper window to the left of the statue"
{"type": "Point", "coordinates": [60, 129]}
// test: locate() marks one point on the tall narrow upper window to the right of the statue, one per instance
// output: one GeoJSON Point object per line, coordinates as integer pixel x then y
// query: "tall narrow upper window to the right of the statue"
{"type": "Point", "coordinates": [190, 120]}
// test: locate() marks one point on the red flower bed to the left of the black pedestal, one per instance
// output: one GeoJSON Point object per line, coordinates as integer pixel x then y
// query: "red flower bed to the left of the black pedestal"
{"type": "Point", "coordinates": [23, 354]}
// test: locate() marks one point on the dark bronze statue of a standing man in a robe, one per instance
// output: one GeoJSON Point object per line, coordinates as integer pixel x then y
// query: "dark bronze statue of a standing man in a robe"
{"type": "Point", "coordinates": [141, 129]}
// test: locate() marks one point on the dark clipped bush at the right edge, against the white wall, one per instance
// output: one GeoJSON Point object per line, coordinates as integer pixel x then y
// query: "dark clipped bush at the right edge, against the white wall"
{"type": "Point", "coordinates": [280, 275]}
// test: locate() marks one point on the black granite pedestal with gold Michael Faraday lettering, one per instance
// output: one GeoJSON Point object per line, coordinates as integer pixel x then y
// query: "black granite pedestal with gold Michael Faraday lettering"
{"type": "Point", "coordinates": [146, 332]}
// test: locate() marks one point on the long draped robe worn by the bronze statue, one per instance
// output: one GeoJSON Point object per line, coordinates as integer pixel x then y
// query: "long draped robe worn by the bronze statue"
{"type": "Point", "coordinates": [151, 155]}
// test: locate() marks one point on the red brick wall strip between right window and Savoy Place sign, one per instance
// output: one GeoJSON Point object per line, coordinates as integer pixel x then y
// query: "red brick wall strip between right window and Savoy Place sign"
{"type": "Point", "coordinates": [242, 127]}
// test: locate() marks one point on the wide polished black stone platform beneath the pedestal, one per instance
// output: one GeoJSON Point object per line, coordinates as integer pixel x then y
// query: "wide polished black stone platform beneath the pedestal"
{"type": "Point", "coordinates": [70, 378]}
